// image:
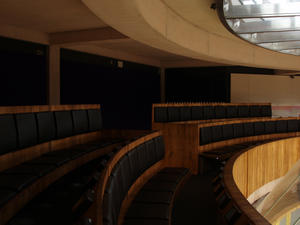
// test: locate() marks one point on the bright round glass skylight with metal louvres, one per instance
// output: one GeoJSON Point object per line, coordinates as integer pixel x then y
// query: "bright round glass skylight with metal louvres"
{"type": "Point", "coordinates": [271, 24]}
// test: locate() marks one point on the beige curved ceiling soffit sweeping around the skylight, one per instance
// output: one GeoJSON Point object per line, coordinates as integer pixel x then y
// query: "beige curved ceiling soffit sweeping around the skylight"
{"type": "Point", "coordinates": [188, 28]}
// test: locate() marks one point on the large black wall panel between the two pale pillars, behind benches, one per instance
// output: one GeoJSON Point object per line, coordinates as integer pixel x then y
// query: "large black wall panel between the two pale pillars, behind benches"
{"type": "Point", "coordinates": [125, 94]}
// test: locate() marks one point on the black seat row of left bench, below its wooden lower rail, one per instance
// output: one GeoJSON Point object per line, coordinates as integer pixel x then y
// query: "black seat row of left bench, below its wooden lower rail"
{"type": "Point", "coordinates": [18, 178]}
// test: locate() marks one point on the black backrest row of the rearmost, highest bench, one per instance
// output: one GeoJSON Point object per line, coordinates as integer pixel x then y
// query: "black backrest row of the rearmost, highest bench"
{"type": "Point", "coordinates": [188, 113]}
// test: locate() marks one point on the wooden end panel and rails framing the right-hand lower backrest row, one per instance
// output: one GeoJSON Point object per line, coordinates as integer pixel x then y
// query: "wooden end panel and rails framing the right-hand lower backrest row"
{"type": "Point", "coordinates": [183, 145]}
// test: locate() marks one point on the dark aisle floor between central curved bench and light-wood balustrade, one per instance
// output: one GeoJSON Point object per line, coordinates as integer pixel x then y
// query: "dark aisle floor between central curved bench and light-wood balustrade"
{"type": "Point", "coordinates": [196, 203]}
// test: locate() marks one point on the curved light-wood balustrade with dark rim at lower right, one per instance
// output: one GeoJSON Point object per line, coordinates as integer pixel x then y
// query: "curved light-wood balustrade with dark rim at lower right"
{"type": "Point", "coordinates": [251, 169]}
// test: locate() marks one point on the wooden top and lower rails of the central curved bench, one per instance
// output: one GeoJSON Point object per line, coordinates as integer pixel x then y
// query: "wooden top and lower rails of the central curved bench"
{"type": "Point", "coordinates": [135, 187]}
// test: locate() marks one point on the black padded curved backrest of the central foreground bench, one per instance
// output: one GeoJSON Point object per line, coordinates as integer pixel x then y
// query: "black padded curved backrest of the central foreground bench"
{"type": "Point", "coordinates": [125, 172]}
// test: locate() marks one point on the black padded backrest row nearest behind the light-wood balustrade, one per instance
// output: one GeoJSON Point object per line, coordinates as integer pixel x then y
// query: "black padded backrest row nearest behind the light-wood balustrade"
{"type": "Point", "coordinates": [210, 134]}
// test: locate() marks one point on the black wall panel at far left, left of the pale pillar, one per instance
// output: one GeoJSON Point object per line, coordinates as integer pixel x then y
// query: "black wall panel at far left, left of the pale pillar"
{"type": "Point", "coordinates": [23, 72]}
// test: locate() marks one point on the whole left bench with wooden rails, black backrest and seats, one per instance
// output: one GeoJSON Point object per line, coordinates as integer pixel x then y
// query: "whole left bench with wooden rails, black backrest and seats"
{"type": "Point", "coordinates": [31, 141]}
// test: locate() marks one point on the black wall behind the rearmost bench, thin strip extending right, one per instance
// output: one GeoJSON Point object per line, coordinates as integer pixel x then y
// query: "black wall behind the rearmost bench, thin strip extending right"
{"type": "Point", "coordinates": [204, 84]}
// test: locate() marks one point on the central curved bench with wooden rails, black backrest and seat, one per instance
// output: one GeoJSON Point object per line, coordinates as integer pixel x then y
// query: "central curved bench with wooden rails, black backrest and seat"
{"type": "Point", "coordinates": [130, 170]}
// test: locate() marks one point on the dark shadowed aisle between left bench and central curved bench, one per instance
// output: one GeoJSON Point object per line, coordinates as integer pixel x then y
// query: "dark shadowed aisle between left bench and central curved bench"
{"type": "Point", "coordinates": [66, 200]}
